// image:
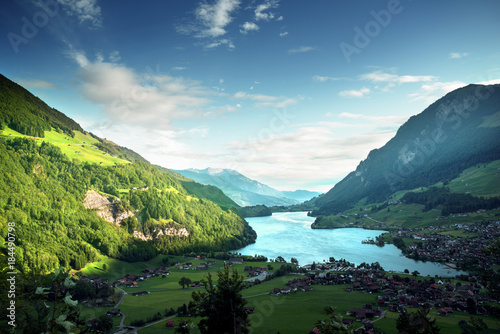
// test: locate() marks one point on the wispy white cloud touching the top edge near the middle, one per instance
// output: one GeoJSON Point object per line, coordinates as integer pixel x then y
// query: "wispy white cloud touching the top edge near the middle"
{"type": "Point", "coordinates": [213, 18]}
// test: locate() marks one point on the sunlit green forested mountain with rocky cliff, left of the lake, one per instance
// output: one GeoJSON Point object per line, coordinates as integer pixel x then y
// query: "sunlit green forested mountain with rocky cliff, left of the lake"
{"type": "Point", "coordinates": [71, 196]}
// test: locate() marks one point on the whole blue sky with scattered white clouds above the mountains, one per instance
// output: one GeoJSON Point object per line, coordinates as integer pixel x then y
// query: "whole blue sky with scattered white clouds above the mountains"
{"type": "Point", "coordinates": [292, 93]}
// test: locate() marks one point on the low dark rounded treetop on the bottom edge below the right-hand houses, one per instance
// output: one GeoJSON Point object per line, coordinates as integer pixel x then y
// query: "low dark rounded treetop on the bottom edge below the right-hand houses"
{"type": "Point", "coordinates": [417, 323]}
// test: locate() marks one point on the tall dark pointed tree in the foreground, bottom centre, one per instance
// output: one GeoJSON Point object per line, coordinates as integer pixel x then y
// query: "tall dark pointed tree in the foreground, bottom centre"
{"type": "Point", "coordinates": [222, 306]}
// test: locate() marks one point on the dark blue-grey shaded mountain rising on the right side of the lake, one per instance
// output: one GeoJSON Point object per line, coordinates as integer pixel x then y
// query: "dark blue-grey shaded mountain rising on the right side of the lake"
{"type": "Point", "coordinates": [454, 133]}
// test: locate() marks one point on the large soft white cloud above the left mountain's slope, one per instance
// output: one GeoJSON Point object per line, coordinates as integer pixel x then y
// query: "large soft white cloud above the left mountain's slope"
{"type": "Point", "coordinates": [150, 99]}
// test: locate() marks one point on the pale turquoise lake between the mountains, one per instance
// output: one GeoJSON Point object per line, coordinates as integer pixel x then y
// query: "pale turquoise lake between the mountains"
{"type": "Point", "coordinates": [290, 235]}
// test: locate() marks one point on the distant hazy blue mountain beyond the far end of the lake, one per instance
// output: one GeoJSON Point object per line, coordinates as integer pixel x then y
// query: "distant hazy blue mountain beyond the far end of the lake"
{"type": "Point", "coordinates": [244, 191]}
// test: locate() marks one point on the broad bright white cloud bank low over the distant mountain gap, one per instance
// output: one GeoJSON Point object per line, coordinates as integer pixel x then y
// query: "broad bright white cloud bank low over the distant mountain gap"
{"type": "Point", "coordinates": [273, 159]}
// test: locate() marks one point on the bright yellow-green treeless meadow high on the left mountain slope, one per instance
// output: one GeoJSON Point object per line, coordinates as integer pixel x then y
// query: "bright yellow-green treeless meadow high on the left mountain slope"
{"type": "Point", "coordinates": [81, 147]}
